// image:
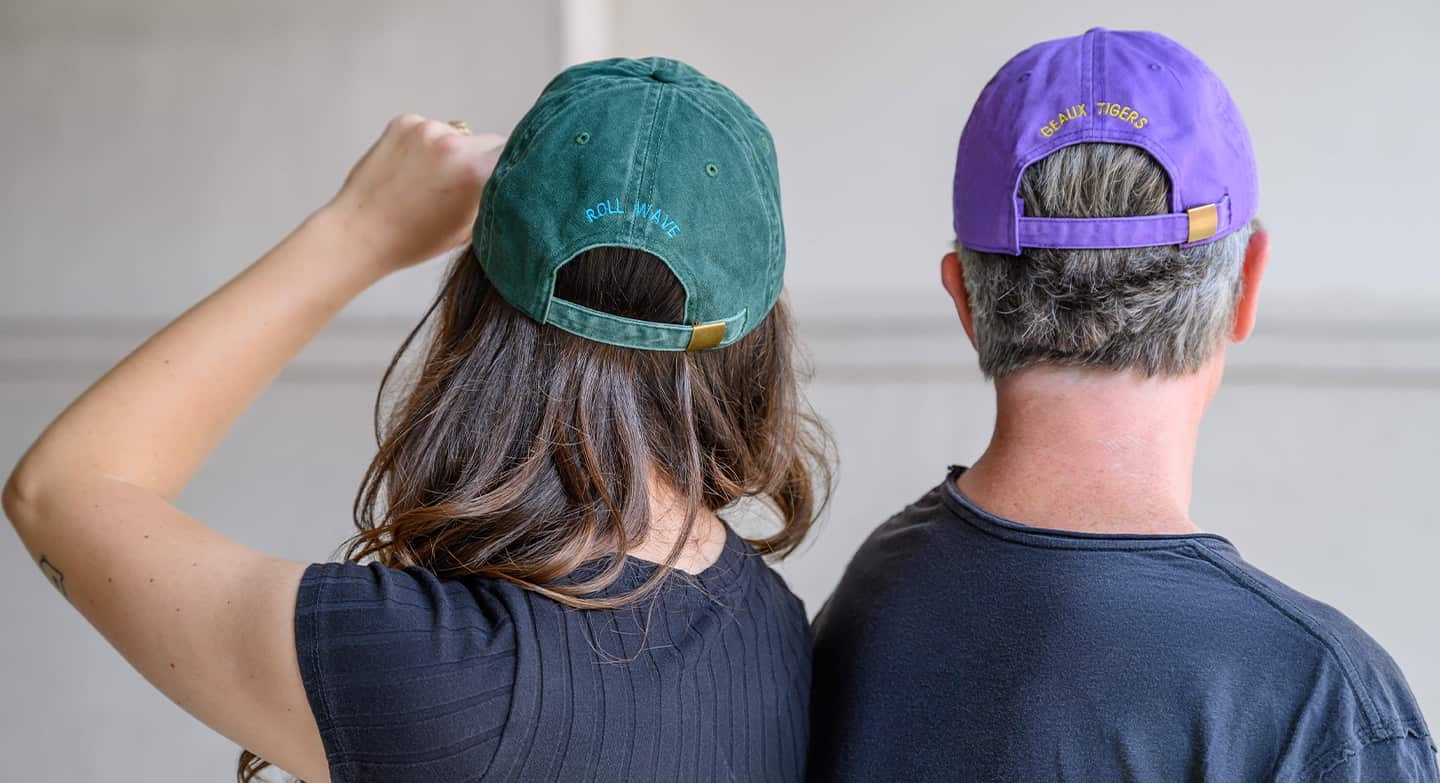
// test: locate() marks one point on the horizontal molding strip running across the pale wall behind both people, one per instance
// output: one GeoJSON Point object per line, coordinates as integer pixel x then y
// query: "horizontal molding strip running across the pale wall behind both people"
{"type": "Point", "coordinates": [849, 340]}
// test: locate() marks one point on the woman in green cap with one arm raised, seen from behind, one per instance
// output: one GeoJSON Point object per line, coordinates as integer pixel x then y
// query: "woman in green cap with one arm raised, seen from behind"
{"type": "Point", "coordinates": [549, 592]}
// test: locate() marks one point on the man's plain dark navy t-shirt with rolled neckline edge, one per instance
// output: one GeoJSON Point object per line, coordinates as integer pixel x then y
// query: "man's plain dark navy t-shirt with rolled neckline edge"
{"type": "Point", "coordinates": [964, 647]}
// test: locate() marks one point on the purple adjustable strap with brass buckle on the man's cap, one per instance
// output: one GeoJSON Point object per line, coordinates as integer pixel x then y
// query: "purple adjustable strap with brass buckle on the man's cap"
{"type": "Point", "coordinates": [1190, 228]}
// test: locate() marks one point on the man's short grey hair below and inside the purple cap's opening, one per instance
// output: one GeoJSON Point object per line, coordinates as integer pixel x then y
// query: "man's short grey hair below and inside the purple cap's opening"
{"type": "Point", "coordinates": [1160, 312]}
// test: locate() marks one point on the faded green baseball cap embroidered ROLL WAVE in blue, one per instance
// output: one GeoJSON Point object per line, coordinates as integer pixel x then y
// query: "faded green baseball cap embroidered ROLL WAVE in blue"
{"type": "Point", "coordinates": [646, 155]}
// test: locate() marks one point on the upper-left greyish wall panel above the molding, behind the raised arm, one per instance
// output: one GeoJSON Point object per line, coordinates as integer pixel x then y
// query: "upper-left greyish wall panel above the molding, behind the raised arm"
{"type": "Point", "coordinates": [155, 146]}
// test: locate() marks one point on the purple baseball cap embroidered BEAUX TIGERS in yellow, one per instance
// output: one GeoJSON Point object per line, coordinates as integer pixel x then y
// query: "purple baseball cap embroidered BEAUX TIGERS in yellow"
{"type": "Point", "coordinates": [1134, 89]}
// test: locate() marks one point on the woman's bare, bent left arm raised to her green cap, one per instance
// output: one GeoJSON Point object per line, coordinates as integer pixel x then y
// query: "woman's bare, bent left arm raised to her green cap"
{"type": "Point", "coordinates": [205, 620]}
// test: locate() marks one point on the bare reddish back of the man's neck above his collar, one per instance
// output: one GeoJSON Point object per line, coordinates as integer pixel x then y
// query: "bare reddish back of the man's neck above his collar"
{"type": "Point", "coordinates": [1094, 451]}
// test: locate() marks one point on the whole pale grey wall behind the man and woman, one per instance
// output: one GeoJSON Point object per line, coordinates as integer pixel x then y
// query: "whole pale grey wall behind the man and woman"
{"type": "Point", "coordinates": [153, 149]}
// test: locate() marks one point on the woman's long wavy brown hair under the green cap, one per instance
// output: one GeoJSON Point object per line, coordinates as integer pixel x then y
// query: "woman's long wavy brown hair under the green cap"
{"type": "Point", "coordinates": [518, 451]}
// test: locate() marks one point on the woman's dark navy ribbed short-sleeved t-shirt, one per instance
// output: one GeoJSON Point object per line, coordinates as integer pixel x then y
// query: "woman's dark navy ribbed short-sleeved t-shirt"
{"type": "Point", "coordinates": [415, 679]}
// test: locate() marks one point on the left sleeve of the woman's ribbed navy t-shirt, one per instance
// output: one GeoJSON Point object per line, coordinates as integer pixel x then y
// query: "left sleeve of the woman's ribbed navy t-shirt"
{"type": "Point", "coordinates": [410, 676]}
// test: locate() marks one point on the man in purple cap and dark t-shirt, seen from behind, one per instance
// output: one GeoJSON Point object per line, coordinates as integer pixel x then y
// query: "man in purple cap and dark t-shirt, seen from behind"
{"type": "Point", "coordinates": [1053, 614]}
